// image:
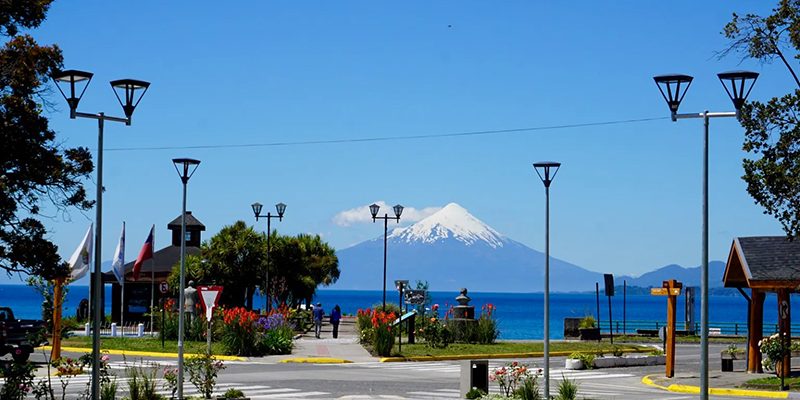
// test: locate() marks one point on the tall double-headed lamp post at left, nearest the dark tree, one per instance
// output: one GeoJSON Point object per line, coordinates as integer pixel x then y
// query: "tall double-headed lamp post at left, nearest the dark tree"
{"type": "Point", "coordinates": [131, 88]}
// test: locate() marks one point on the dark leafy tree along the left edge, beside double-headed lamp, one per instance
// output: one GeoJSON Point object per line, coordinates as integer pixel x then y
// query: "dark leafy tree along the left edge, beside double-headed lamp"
{"type": "Point", "coordinates": [34, 169]}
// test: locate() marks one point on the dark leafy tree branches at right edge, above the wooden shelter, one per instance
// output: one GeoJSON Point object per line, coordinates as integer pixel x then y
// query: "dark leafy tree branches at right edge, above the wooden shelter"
{"type": "Point", "coordinates": [772, 135]}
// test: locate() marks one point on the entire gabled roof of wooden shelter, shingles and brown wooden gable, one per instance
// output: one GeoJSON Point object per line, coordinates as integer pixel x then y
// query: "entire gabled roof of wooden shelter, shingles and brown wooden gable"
{"type": "Point", "coordinates": [763, 262]}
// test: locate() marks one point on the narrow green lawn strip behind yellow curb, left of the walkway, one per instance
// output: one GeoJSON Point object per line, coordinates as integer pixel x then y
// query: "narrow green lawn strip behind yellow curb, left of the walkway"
{"type": "Point", "coordinates": [142, 344]}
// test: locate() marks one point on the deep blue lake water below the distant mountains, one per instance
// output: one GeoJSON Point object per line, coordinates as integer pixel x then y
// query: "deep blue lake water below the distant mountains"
{"type": "Point", "coordinates": [520, 315]}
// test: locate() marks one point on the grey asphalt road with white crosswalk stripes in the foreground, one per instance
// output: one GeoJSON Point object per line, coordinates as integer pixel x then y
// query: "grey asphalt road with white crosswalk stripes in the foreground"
{"type": "Point", "coordinates": [417, 380]}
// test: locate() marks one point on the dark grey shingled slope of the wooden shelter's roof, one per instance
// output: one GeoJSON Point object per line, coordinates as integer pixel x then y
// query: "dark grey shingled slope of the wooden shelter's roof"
{"type": "Point", "coordinates": [771, 257]}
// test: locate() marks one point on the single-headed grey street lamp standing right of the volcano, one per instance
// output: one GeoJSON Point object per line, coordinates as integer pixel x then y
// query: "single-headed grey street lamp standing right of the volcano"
{"type": "Point", "coordinates": [547, 171]}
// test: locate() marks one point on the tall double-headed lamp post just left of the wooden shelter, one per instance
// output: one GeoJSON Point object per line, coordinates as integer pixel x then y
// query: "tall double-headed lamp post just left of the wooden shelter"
{"type": "Point", "coordinates": [673, 88]}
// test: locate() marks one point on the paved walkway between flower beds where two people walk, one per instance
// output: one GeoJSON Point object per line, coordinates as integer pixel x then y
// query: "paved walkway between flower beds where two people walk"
{"type": "Point", "coordinates": [344, 349]}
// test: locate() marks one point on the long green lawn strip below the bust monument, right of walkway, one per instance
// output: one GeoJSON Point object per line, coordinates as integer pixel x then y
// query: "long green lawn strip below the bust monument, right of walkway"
{"type": "Point", "coordinates": [415, 350]}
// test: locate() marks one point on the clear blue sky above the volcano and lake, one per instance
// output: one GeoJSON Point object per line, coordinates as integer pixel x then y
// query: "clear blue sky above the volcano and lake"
{"type": "Point", "coordinates": [627, 199]}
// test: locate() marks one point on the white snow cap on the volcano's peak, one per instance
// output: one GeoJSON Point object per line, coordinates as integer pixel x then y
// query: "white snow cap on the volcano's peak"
{"type": "Point", "coordinates": [452, 221]}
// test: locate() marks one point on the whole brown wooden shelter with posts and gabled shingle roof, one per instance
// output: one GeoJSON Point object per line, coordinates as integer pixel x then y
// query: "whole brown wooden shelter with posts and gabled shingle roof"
{"type": "Point", "coordinates": [764, 264]}
